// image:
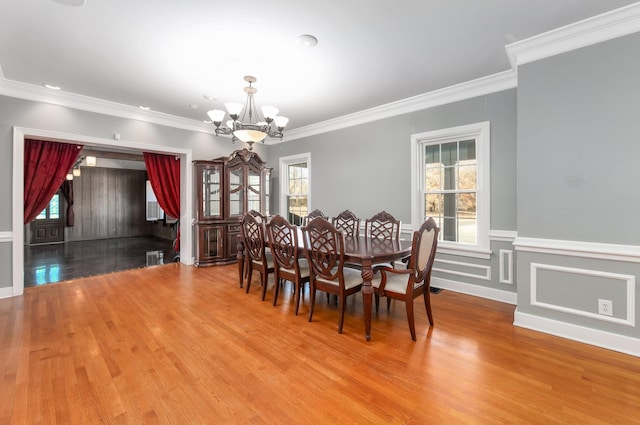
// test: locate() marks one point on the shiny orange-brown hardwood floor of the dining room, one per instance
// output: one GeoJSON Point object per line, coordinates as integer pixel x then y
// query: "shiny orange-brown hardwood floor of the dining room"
{"type": "Point", "coordinates": [174, 344]}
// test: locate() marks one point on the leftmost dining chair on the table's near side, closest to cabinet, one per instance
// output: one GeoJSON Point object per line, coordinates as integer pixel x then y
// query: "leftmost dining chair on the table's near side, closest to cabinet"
{"type": "Point", "coordinates": [253, 235]}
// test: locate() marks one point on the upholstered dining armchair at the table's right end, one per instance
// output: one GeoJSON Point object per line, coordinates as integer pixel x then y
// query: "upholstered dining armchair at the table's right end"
{"type": "Point", "coordinates": [408, 284]}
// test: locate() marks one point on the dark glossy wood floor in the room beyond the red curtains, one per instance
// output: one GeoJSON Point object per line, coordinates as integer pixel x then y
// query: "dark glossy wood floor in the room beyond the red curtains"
{"type": "Point", "coordinates": [72, 260]}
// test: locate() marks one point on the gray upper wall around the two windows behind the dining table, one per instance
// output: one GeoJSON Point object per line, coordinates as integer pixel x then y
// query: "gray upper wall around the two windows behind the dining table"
{"type": "Point", "coordinates": [366, 168]}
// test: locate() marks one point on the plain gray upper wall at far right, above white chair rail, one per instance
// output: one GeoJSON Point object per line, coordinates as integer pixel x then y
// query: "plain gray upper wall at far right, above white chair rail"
{"type": "Point", "coordinates": [578, 144]}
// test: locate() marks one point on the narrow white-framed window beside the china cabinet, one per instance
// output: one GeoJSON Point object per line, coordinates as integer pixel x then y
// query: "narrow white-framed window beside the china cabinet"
{"type": "Point", "coordinates": [294, 189]}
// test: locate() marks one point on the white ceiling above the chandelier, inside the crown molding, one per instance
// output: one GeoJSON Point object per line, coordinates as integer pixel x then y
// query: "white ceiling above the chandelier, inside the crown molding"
{"type": "Point", "coordinates": [167, 54]}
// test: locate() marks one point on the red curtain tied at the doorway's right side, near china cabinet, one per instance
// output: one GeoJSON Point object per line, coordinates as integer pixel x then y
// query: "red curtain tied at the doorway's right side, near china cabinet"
{"type": "Point", "coordinates": [164, 175]}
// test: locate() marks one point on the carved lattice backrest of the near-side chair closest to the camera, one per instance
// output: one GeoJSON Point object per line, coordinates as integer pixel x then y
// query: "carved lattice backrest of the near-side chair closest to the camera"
{"type": "Point", "coordinates": [324, 249]}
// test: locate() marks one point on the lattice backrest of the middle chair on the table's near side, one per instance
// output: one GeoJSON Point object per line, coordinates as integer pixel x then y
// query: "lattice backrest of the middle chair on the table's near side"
{"type": "Point", "coordinates": [283, 241]}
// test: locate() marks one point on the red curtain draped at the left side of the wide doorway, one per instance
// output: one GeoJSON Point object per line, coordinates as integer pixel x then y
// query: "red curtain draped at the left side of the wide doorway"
{"type": "Point", "coordinates": [46, 165]}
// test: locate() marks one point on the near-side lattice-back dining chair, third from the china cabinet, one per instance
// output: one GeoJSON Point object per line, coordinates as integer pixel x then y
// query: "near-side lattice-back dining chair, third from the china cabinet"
{"type": "Point", "coordinates": [324, 248]}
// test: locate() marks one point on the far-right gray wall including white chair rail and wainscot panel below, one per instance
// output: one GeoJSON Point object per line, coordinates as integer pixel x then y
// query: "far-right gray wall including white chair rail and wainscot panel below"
{"type": "Point", "coordinates": [578, 174]}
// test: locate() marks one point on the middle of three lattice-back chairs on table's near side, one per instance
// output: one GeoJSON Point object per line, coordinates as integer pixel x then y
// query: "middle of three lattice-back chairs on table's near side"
{"type": "Point", "coordinates": [285, 248]}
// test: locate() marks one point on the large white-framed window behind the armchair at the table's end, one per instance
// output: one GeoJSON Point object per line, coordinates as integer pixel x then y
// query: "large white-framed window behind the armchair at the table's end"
{"type": "Point", "coordinates": [451, 184]}
